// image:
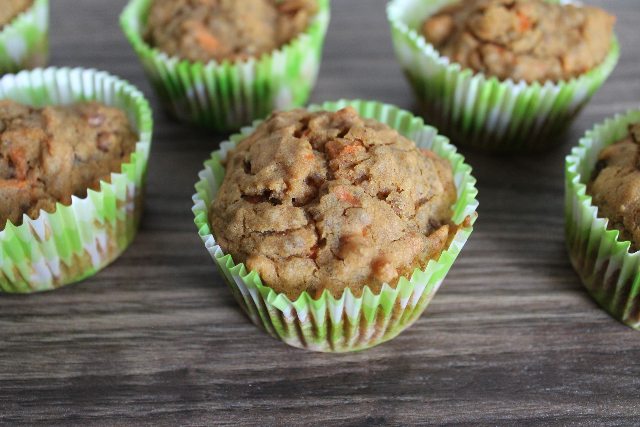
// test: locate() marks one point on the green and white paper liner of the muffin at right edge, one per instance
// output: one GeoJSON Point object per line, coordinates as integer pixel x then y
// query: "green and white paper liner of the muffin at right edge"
{"type": "Point", "coordinates": [607, 268]}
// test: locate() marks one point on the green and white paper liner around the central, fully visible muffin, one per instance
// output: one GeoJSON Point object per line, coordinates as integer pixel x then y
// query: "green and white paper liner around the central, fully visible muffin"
{"type": "Point", "coordinates": [347, 323]}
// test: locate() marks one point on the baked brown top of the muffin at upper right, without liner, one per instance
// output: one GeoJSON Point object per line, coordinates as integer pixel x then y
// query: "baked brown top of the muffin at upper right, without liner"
{"type": "Point", "coordinates": [530, 40]}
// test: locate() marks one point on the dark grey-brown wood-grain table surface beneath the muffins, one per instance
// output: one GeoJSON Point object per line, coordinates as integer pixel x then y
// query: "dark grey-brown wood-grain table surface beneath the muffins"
{"type": "Point", "coordinates": [511, 338]}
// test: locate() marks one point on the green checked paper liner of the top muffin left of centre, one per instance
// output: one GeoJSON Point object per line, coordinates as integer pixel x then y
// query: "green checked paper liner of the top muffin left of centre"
{"type": "Point", "coordinates": [227, 95]}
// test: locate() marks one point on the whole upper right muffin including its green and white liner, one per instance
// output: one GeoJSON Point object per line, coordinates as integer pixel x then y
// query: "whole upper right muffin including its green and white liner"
{"type": "Point", "coordinates": [503, 75]}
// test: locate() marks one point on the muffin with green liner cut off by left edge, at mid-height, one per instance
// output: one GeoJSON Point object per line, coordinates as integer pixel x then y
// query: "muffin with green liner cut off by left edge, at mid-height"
{"type": "Point", "coordinates": [72, 170]}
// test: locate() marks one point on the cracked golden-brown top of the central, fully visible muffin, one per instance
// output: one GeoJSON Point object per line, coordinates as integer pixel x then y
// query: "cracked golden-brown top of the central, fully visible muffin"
{"type": "Point", "coordinates": [329, 200]}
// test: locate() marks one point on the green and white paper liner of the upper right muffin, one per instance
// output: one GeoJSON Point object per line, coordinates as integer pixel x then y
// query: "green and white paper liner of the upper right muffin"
{"type": "Point", "coordinates": [484, 112]}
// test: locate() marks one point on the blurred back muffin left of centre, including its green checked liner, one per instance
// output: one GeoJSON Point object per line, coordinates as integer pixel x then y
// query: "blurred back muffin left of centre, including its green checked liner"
{"type": "Point", "coordinates": [221, 63]}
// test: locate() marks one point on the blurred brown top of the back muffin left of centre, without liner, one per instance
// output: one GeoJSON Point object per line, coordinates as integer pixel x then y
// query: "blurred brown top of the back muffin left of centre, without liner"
{"type": "Point", "coordinates": [205, 30]}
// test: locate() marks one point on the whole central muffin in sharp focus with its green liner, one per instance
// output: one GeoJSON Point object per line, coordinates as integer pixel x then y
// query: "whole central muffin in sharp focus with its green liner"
{"type": "Point", "coordinates": [347, 215]}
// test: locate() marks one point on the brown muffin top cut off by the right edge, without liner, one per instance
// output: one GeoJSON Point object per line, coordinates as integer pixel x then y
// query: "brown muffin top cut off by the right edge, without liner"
{"type": "Point", "coordinates": [615, 186]}
